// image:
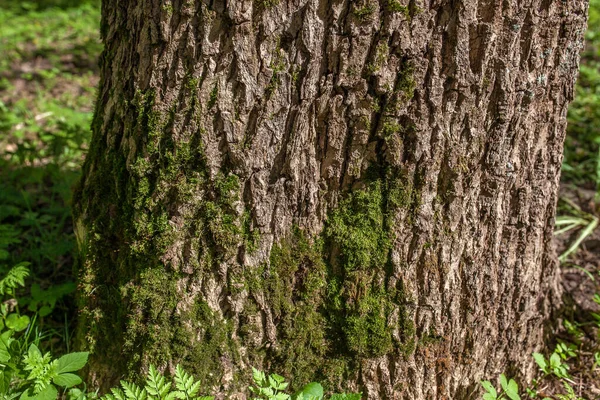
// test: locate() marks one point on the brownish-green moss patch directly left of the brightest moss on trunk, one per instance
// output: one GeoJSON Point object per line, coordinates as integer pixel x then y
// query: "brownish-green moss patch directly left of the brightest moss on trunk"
{"type": "Point", "coordinates": [294, 284]}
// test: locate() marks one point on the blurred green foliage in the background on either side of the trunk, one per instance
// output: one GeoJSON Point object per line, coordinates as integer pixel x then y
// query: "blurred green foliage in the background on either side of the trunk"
{"type": "Point", "coordinates": [48, 76]}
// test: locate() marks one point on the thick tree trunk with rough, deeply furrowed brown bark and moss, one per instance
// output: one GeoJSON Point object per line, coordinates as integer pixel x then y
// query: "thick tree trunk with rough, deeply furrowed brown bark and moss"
{"type": "Point", "coordinates": [361, 192]}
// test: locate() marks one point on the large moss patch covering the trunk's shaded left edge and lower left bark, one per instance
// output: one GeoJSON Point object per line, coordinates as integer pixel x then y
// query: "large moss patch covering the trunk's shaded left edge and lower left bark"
{"type": "Point", "coordinates": [125, 256]}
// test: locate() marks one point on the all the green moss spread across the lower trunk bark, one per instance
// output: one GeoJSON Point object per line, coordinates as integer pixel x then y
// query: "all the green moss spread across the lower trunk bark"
{"type": "Point", "coordinates": [328, 295]}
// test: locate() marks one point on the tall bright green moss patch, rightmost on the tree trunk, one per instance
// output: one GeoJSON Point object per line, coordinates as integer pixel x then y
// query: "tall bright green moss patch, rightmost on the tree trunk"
{"type": "Point", "coordinates": [358, 232]}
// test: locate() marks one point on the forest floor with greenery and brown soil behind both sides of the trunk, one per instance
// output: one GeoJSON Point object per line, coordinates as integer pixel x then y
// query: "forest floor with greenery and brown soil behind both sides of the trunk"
{"type": "Point", "coordinates": [48, 79]}
